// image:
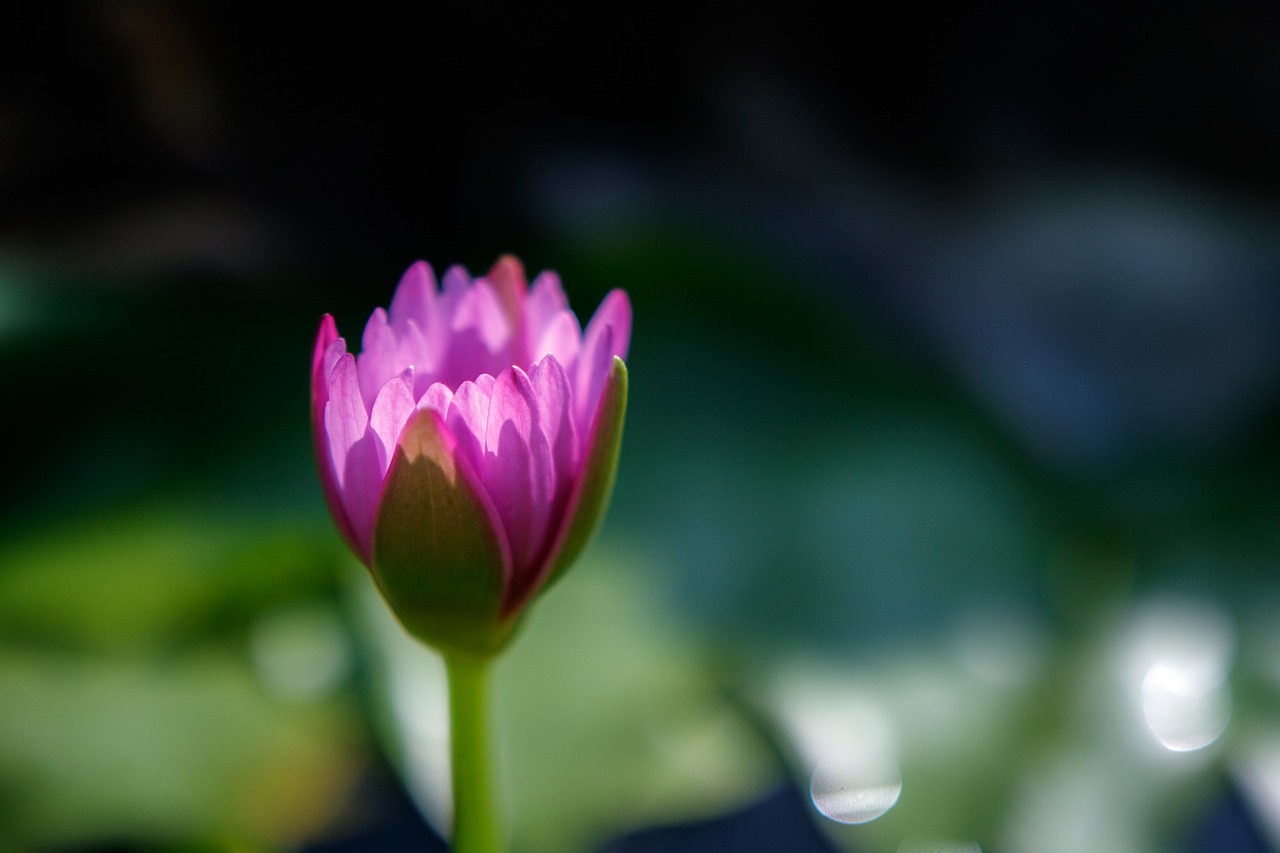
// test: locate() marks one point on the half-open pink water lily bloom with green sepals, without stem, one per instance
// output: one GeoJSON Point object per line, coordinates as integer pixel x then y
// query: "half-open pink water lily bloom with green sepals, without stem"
{"type": "Point", "coordinates": [469, 451]}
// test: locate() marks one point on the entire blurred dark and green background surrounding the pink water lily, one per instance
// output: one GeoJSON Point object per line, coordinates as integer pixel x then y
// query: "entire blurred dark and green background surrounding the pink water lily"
{"type": "Point", "coordinates": [948, 513]}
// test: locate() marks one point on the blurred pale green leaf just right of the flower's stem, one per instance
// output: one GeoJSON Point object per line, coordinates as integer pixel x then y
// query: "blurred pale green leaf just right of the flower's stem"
{"type": "Point", "coordinates": [610, 717]}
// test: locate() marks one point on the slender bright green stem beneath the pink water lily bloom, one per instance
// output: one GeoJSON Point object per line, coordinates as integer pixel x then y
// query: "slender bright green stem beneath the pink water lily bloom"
{"type": "Point", "coordinates": [476, 814]}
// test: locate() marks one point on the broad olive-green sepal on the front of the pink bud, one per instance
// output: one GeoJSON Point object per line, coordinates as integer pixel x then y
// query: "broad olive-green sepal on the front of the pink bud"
{"type": "Point", "coordinates": [440, 555]}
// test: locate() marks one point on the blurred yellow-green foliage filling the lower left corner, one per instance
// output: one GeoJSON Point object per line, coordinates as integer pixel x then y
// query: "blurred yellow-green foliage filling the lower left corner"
{"type": "Point", "coordinates": [132, 705]}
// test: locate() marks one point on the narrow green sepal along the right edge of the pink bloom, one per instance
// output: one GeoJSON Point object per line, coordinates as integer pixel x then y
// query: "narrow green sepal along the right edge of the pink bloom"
{"type": "Point", "coordinates": [600, 471]}
